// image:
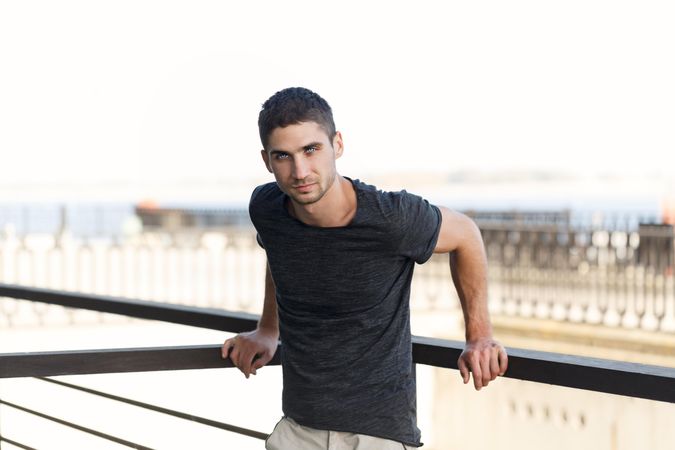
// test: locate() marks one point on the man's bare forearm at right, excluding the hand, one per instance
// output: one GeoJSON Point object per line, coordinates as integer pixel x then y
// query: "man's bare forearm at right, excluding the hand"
{"type": "Point", "coordinates": [468, 265]}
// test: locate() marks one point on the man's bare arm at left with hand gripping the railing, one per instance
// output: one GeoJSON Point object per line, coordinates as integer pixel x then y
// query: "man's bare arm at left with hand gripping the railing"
{"type": "Point", "coordinates": [251, 350]}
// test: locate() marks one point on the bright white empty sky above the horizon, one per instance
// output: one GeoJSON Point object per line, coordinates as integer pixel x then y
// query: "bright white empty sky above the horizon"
{"type": "Point", "coordinates": [169, 90]}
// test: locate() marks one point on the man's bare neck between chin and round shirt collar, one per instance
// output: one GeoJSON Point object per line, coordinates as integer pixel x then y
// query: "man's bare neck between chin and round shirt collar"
{"type": "Point", "coordinates": [335, 209]}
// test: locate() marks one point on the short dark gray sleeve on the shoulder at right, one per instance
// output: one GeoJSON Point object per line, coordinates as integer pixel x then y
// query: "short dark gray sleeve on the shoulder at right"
{"type": "Point", "coordinates": [420, 224]}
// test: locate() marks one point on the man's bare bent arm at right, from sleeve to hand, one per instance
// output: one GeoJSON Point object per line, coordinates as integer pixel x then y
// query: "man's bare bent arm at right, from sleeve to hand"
{"type": "Point", "coordinates": [483, 357]}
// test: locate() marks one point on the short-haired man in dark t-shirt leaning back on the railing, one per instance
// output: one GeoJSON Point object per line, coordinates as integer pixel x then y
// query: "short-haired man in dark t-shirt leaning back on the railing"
{"type": "Point", "coordinates": [340, 257]}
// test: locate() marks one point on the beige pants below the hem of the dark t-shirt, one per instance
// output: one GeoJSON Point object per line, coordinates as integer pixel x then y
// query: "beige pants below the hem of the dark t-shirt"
{"type": "Point", "coordinates": [289, 435]}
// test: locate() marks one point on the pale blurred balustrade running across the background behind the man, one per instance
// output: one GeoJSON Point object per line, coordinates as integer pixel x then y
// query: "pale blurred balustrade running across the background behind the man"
{"type": "Point", "coordinates": [615, 277]}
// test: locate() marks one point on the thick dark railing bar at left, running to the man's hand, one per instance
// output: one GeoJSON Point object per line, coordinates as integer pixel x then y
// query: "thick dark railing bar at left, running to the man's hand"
{"type": "Point", "coordinates": [79, 362]}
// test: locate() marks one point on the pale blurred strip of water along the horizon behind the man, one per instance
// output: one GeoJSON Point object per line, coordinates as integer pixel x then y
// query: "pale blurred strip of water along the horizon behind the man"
{"type": "Point", "coordinates": [640, 201]}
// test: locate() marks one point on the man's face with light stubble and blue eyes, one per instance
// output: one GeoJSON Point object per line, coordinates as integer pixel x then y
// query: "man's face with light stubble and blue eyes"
{"type": "Point", "coordinates": [302, 159]}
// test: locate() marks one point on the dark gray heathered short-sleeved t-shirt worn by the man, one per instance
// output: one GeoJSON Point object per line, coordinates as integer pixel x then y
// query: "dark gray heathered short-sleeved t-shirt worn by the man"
{"type": "Point", "coordinates": [343, 300]}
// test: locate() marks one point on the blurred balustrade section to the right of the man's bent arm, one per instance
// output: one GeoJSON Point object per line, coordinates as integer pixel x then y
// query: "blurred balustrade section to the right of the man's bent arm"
{"type": "Point", "coordinates": [611, 275]}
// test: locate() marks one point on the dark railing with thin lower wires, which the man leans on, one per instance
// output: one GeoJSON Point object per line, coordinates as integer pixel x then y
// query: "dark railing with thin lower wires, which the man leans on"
{"type": "Point", "coordinates": [614, 377]}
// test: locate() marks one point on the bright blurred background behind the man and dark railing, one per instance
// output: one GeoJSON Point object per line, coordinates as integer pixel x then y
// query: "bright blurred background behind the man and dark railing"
{"type": "Point", "coordinates": [129, 144]}
